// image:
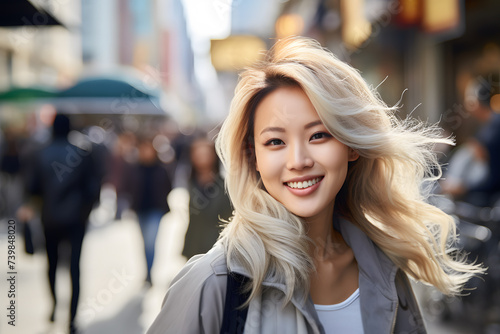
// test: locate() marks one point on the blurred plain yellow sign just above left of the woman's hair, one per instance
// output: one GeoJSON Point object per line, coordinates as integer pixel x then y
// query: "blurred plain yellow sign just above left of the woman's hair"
{"type": "Point", "coordinates": [236, 52]}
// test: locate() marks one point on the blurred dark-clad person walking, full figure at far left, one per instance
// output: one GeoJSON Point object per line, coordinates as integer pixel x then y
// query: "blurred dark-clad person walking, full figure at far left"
{"type": "Point", "coordinates": [68, 180]}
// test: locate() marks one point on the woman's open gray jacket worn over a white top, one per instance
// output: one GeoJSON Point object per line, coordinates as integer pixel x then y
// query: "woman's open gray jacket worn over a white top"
{"type": "Point", "coordinates": [195, 300]}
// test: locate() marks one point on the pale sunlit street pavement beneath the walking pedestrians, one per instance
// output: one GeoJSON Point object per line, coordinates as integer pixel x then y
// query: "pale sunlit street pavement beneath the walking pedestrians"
{"type": "Point", "coordinates": [113, 296]}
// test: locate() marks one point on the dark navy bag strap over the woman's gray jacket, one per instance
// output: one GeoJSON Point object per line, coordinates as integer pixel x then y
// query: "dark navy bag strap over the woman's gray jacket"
{"type": "Point", "coordinates": [233, 321]}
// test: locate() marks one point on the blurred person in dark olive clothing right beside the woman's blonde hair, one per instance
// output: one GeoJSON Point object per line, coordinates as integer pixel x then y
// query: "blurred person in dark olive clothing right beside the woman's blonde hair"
{"type": "Point", "coordinates": [208, 202]}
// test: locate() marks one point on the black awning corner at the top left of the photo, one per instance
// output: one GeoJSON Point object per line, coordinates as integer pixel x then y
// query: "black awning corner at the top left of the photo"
{"type": "Point", "coordinates": [18, 13]}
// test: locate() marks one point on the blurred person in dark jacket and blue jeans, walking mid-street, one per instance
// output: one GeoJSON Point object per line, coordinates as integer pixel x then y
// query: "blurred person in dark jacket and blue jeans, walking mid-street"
{"type": "Point", "coordinates": [149, 185]}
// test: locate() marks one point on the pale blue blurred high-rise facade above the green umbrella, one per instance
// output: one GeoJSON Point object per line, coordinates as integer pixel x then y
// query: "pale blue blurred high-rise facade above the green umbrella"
{"type": "Point", "coordinates": [147, 40]}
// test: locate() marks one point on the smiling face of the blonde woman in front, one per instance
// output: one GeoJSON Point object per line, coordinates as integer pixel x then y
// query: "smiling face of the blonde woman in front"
{"type": "Point", "coordinates": [301, 164]}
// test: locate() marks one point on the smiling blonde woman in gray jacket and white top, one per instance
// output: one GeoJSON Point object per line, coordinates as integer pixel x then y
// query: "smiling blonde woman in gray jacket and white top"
{"type": "Point", "coordinates": [330, 213]}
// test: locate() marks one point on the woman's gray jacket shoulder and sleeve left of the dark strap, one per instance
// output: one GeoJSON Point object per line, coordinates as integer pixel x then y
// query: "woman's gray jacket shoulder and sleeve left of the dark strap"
{"type": "Point", "coordinates": [194, 303]}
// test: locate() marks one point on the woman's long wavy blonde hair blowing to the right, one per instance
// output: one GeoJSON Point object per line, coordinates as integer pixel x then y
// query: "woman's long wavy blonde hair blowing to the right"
{"type": "Point", "coordinates": [385, 192]}
